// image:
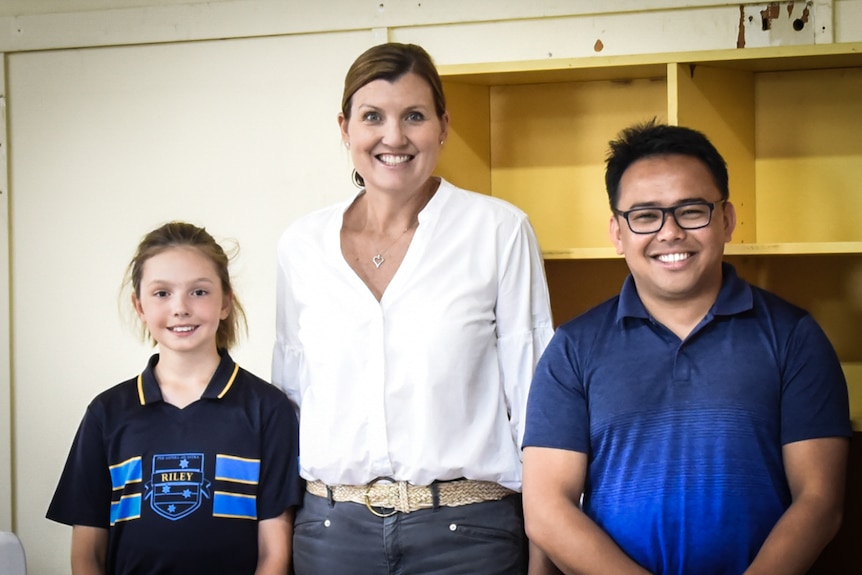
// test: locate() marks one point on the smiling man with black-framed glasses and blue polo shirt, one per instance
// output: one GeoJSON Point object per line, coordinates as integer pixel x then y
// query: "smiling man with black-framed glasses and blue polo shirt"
{"type": "Point", "coordinates": [694, 424]}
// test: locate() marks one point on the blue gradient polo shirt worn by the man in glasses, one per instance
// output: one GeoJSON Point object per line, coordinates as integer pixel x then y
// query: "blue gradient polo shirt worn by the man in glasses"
{"type": "Point", "coordinates": [684, 437]}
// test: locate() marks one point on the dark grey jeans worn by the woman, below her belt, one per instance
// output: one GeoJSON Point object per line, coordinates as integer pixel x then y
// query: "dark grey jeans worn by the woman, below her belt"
{"type": "Point", "coordinates": [347, 539]}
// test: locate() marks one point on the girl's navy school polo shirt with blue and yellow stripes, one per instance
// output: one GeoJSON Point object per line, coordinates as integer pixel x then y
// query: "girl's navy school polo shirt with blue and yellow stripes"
{"type": "Point", "coordinates": [182, 489]}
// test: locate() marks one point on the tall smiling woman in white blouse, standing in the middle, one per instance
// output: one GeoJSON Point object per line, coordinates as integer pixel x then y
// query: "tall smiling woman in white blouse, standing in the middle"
{"type": "Point", "coordinates": [409, 322]}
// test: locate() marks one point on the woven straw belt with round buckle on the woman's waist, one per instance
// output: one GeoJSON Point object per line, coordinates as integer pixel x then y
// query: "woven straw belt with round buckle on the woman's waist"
{"type": "Point", "coordinates": [406, 497]}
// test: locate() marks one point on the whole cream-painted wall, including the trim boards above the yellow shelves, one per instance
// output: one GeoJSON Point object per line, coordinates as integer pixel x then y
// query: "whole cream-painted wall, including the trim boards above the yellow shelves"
{"type": "Point", "coordinates": [121, 119]}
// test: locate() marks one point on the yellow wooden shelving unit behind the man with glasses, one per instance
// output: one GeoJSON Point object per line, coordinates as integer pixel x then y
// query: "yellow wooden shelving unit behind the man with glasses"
{"type": "Point", "coordinates": [788, 120]}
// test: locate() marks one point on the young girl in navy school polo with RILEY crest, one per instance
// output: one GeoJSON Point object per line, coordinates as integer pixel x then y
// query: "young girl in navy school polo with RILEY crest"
{"type": "Point", "coordinates": [192, 465]}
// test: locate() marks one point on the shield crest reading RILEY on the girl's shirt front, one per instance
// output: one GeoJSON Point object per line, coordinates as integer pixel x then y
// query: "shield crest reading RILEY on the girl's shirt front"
{"type": "Point", "coordinates": [177, 484]}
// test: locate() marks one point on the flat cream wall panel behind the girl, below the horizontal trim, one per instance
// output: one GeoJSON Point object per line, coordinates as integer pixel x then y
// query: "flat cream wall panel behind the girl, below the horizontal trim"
{"type": "Point", "coordinates": [236, 135]}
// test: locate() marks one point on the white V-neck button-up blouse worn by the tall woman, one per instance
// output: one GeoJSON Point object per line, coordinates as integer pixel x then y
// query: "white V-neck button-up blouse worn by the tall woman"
{"type": "Point", "coordinates": [431, 382]}
